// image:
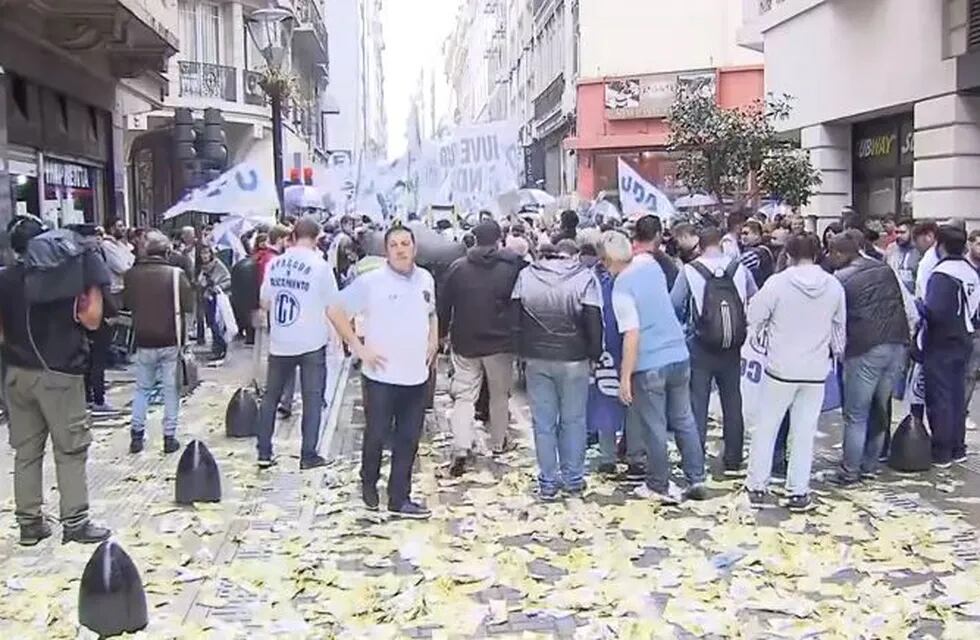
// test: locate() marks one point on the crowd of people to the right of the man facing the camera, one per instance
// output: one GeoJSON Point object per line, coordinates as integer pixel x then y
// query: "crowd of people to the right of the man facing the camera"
{"type": "Point", "coordinates": [667, 311]}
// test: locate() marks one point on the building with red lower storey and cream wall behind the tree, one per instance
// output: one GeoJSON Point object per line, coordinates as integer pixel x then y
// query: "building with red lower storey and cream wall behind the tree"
{"type": "Point", "coordinates": [632, 58]}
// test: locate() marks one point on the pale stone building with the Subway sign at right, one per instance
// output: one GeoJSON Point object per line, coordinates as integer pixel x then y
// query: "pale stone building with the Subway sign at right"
{"type": "Point", "coordinates": [885, 99]}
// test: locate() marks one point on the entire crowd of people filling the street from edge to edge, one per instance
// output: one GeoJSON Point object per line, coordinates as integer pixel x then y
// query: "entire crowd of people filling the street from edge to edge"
{"type": "Point", "coordinates": [620, 329]}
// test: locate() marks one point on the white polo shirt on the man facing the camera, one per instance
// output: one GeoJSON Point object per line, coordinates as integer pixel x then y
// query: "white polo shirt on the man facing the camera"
{"type": "Point", "coordinates": [396, 310]}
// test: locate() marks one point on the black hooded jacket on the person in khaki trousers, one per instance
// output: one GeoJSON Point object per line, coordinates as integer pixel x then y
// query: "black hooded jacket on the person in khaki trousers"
{"type": "Point", "coordinates": [475, 301]}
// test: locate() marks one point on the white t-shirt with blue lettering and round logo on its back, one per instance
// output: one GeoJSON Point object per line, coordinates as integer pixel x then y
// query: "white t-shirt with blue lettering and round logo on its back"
{"type": "Point", "coordinates": [298, 286]}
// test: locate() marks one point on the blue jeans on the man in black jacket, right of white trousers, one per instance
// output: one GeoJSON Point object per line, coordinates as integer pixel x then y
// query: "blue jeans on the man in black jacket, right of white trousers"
{"type": "Point", "coordinates": [868, 381]}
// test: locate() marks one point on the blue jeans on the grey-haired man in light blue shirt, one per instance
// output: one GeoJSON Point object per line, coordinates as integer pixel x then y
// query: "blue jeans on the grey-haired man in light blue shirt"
{"type": "Point", "coordinates": [662, 396]}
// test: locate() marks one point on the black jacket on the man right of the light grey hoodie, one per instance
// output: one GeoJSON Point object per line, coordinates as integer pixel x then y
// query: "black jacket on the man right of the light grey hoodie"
{"type": "Point", "coordinates": [875, 307]}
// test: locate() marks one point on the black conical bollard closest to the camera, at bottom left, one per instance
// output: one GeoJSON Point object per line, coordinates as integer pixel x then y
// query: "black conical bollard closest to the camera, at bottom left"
{"type": "Point", "coordinates": [111, 600]}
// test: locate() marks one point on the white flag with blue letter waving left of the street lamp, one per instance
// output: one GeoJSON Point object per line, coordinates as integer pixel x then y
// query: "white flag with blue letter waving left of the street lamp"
{"type": "Point", "coordinates": [242, 190]}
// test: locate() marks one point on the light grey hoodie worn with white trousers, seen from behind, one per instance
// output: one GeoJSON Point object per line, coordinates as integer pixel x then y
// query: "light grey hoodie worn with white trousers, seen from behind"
{"type": "Point", "coordinates": [800, 316]}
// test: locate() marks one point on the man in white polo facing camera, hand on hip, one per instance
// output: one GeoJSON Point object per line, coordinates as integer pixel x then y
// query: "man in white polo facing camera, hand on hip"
{"type": "Point", "coordinates": [396, 306]}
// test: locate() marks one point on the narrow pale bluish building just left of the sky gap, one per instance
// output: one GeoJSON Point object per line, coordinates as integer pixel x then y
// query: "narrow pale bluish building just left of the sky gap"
{"type": "Point", "coordinates": [356, 121]}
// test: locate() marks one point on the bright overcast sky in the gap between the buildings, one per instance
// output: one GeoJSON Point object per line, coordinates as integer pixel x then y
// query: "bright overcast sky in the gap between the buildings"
{"type": "Point", "coordinates": [414, 32]}
